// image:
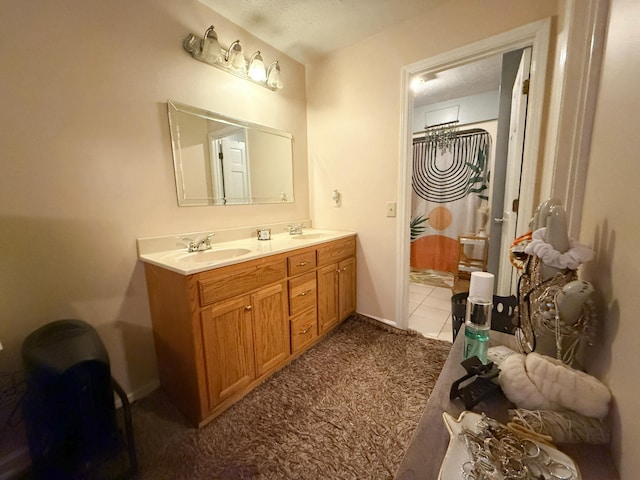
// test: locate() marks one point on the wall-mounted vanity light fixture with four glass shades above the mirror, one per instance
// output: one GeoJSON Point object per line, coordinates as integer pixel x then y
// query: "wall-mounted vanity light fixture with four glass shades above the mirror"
{"type": "Point", "coordinates": [208, 50]}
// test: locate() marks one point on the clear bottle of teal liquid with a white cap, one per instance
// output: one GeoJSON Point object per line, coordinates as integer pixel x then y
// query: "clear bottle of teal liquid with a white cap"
{"type": "Point", "coordinates": [478, 316]}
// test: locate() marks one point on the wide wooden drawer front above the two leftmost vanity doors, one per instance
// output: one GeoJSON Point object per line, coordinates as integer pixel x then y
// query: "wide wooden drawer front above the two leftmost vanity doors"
{"type": "Point", "coordinates": [235, 280]}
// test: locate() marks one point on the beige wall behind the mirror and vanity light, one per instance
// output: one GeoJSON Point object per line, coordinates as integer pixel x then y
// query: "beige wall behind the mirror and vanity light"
{"type": "Point", "coordinates": [86, 160]}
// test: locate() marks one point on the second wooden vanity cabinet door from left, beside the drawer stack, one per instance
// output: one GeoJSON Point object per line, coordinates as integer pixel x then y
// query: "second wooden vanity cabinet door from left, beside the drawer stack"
{"type": "Point", "coordinates": [270, 327]}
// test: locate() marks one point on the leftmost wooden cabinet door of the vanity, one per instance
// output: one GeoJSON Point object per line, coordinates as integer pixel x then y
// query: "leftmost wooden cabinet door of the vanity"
{"type": "Point", "coordinates": [228, 348]}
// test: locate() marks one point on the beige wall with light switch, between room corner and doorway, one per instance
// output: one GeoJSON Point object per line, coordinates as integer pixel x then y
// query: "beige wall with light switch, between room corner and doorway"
{"type": "Point", "coordinates": [354, 127]}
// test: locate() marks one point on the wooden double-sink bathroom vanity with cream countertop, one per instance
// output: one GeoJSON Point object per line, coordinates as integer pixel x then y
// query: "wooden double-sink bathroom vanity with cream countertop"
{"type": "Point", "coordinates": [227, 318]}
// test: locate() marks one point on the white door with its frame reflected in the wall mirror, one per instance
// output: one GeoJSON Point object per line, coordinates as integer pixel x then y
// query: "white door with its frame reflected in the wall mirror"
{"type": "Point", "coordinates": [230, 164]}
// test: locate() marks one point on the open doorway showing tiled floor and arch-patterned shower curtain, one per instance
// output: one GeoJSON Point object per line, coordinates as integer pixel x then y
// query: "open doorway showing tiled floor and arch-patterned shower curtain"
{"type": "Point", "coordinates": [462, 175]}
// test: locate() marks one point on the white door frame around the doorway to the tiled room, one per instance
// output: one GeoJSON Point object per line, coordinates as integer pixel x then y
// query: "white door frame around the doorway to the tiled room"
{"type": "Point", "coordinates": [536, 35]}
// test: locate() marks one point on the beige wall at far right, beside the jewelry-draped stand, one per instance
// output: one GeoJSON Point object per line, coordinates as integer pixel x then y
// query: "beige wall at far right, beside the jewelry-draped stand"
{"type": "Point", "coordinates": [610, 224]}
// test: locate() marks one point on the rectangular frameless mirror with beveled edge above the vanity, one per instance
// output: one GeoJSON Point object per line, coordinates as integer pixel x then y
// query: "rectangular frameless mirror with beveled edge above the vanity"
{"type": "Point", "coordinates": [219, 160]}
